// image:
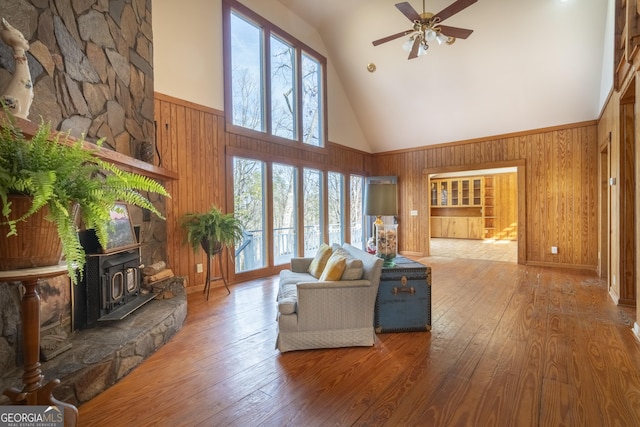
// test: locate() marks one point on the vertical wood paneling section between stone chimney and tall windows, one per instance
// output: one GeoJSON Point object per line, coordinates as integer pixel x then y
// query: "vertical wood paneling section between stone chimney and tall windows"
{"type": "Point", "coordinates": [188, 143]}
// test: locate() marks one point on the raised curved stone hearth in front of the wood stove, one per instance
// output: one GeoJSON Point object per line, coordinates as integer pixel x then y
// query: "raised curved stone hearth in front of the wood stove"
{"type": "Point", "coordinates": [101, 356]}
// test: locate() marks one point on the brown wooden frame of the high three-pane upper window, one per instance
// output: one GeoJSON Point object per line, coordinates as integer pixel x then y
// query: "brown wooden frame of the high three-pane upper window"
{"type": "Point", "coordinates": [269, 29]}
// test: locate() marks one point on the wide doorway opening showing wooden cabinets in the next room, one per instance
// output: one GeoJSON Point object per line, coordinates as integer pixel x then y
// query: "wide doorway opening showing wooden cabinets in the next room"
{"type": "Point", "coordinates": [483, 224]}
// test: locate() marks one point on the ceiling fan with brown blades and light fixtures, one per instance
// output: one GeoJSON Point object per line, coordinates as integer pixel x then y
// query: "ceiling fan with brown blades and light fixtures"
{"type": "Point", "coordinates": [427, 27]}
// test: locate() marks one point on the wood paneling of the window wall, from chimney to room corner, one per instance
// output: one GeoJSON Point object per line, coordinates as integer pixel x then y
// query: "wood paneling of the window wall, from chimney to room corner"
{"type": "Point", "coordinates": [192, 140]}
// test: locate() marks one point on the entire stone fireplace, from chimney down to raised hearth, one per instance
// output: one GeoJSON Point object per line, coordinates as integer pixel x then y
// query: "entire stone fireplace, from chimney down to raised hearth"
{"type": "Point", "coordinates": [91, 64]}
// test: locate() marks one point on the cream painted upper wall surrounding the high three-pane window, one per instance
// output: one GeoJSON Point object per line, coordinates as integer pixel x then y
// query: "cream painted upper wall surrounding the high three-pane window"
{"type": "Point", "coordinates": [187, 45]}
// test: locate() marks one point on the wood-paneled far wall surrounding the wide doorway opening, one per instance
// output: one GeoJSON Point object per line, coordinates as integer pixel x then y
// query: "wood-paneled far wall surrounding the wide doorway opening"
{"type": "Point", "coordinates": [559, 193]}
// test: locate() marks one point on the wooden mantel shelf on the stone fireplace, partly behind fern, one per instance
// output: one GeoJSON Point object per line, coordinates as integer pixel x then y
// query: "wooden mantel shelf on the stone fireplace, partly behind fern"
{"type": "Point", "coordinates": [123, 161]}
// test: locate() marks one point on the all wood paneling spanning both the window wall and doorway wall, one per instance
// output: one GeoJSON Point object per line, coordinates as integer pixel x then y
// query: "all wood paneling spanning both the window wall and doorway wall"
{"type": "Point", "coordinates": [559, 191]}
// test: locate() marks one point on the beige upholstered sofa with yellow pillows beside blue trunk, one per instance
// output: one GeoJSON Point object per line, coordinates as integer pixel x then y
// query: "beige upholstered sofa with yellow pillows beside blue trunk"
{"type": "Point", "coordinates": [314, 314]}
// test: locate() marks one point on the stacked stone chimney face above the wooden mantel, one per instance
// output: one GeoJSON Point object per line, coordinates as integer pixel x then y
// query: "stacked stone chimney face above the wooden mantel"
{"type": "Point", "coordinates": [91, 64]}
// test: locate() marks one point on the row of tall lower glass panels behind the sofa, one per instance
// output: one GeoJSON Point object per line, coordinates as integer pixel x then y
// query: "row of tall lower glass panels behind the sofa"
{"type": "Point", "coordinates": [289, 211]}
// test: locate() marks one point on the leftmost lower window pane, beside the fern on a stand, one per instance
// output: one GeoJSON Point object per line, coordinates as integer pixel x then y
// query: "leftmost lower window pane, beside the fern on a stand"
{"type": "Point", "coordinates": [249, 207]}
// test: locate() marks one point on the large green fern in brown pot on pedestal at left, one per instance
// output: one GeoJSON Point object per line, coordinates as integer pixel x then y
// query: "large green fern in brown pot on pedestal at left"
{"type": "Point", "coordinates": [59, 183]}
